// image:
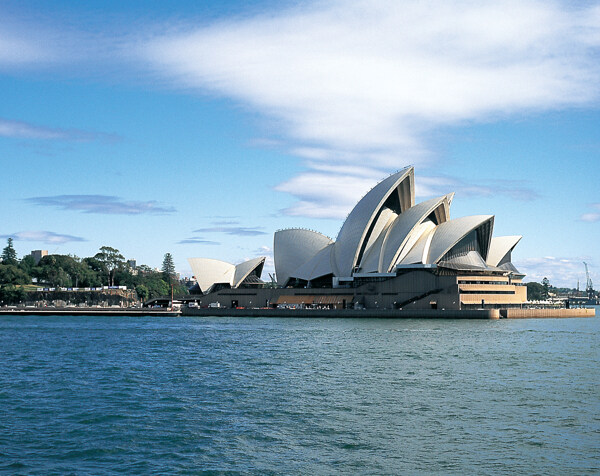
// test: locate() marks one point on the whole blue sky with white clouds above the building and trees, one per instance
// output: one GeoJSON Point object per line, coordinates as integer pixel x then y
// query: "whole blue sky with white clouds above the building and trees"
{"type": "Point", "coordinates": [200, 128]}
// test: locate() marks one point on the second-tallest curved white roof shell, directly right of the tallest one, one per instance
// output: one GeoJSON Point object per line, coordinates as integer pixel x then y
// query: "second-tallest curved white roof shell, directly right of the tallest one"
{"type": "Point", "coordinates": [399, 233]}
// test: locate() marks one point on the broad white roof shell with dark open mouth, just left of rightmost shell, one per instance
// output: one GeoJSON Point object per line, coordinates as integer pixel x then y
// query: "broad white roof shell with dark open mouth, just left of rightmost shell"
{"type": "Point", "coordinates": [448, 234]}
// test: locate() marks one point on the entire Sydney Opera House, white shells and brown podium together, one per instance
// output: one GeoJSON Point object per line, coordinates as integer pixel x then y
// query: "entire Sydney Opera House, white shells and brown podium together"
{"type": "Point", "coordinates": [390, 253]}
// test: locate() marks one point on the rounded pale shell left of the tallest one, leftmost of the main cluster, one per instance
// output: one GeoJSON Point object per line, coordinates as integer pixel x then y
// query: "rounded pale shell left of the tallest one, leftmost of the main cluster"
{"type": "Point", "coordinates": [294, 247]}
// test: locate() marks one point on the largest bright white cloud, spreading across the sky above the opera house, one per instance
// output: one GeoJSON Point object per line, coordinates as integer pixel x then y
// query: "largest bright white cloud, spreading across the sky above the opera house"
{"type": "Point", "coordinates": [358, 83]}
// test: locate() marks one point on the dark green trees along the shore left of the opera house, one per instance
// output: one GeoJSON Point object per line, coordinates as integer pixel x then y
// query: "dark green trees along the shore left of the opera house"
{"type": "Point", "coordinates": [108, 267]}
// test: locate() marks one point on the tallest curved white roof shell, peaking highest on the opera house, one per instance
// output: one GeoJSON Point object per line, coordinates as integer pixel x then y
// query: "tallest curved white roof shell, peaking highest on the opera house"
{"type": "Point", "coordinates": [397, 192]}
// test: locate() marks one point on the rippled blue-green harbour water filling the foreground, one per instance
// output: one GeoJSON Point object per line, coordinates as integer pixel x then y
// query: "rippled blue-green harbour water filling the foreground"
{"type": "Point", "coordinates": [163, 395]}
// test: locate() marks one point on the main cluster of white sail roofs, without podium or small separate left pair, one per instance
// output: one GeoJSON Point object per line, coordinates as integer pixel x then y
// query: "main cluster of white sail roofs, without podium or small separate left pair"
{"type": "Point", "coordinates": [387, 232]}
